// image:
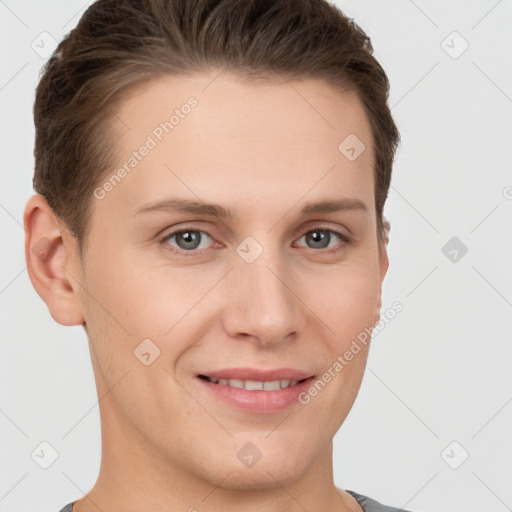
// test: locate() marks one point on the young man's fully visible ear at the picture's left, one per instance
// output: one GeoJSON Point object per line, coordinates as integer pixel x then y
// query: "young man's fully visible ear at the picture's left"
{"type": "Point", "coordinates": [52, 261]}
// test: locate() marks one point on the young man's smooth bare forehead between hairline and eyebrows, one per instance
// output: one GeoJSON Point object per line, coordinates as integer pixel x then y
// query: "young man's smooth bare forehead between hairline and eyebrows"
{"type": "Point", "coordinates": [216, 135]}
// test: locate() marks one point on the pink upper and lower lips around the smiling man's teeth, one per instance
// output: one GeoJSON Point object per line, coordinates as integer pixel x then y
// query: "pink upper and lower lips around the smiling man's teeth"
{"type": "Point", "coordinates": [257, 401]}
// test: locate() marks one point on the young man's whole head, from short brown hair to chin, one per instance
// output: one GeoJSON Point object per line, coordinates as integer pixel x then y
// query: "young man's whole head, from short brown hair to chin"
{"type": "Point", "coordinates": [257, 112]}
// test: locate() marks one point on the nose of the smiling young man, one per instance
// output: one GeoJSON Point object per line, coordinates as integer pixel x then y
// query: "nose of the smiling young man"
{"type": "Point", "coordinates": [263, 302]}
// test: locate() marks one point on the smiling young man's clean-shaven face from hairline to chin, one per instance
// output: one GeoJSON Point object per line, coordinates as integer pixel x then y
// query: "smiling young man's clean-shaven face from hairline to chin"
{"type": "Point", "coordinates": [262, 290]}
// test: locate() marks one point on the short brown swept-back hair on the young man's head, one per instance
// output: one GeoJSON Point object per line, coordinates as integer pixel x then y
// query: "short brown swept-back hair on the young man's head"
{"type": "Point", "coordinates": [120, 43]}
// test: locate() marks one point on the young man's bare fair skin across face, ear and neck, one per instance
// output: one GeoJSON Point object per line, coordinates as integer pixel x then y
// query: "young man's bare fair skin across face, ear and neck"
{"type": "Point", "coordinates": [262, 151]}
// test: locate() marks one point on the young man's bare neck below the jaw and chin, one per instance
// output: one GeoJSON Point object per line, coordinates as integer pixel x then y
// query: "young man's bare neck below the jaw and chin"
{"type": "Point", "coordinates": [134, 476]}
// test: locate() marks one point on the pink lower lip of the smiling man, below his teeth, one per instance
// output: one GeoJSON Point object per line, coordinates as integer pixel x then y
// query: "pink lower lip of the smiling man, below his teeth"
{"type": "Point", "coordinates": [258, 401]}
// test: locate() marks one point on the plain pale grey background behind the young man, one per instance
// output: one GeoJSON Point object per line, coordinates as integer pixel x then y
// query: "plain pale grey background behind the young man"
{"type": "Point", "coordinates": [430, 430]}
